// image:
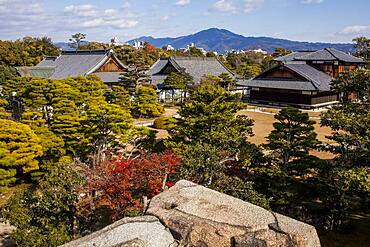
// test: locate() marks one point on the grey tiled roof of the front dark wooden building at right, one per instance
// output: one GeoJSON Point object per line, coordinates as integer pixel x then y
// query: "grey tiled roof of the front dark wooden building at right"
{"type": "Point", "coordinates": [312, 79]}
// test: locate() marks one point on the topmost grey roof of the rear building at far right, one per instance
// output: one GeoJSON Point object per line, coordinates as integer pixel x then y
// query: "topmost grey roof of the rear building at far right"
{"type": "Point", "coordinates": [327, 54]}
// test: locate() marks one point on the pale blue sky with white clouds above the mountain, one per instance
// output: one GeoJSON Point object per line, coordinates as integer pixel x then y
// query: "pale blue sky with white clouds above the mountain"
{"type": "Point", "coordinates": [302, 20]}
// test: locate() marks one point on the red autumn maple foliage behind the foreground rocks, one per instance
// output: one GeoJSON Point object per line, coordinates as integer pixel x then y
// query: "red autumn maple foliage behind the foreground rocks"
{"type": "Point", "coordinates": [120, 185]}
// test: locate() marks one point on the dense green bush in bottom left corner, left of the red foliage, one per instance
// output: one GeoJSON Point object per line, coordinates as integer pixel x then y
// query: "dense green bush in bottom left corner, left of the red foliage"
{"type": "Point", "coordinates": [44, 214]}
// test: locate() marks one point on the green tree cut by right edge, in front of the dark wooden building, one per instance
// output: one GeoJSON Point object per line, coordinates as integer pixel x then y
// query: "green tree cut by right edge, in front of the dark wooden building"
{"type": "Point", "coordinates": [350, 121]}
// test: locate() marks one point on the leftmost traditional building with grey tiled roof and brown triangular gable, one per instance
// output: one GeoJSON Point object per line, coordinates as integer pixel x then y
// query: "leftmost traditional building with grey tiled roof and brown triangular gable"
{"type": "Point", "coordinates": [102, 63]}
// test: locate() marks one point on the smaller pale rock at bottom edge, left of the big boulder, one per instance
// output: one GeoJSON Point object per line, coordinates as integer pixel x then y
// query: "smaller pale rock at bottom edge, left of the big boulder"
{"type": "Point", "coordinates": [144, 231]}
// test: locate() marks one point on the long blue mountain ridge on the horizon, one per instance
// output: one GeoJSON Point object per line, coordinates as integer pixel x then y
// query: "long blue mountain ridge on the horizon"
{"type": "Point", "coordinates": [221, 40]}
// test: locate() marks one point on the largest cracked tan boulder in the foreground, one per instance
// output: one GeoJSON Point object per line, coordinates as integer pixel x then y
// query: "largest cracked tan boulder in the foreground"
{"type": "Point", "coordinates": [198, 216]}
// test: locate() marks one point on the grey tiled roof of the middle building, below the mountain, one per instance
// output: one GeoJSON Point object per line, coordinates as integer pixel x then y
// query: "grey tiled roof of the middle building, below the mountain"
{"type": "Point", "coordinates": [197, 67]}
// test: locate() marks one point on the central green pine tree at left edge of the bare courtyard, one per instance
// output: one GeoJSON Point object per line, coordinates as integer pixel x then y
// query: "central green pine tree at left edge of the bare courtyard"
{"type": "Point", "coordinates": [210, 117]}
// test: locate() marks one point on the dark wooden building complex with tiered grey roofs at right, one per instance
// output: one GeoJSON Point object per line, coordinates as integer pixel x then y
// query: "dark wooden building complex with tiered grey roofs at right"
{"type": "Point", "coordinates": [302, 79]}
